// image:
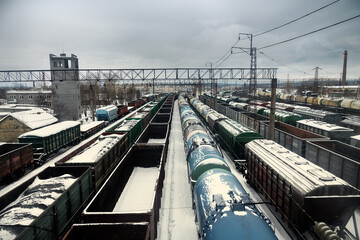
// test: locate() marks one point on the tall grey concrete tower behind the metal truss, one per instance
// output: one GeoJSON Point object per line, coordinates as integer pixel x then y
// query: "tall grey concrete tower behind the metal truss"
{"type": "Point", "coordinates": [66, 86]}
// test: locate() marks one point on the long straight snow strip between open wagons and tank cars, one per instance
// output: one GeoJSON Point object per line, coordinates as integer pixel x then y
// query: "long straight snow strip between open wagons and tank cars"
{"type": "Point", "coordinates": [177, 218]}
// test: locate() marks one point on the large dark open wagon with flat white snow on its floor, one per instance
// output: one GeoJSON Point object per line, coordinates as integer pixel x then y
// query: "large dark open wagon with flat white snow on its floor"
{"type": "Point", "coordinates": [101, 210]}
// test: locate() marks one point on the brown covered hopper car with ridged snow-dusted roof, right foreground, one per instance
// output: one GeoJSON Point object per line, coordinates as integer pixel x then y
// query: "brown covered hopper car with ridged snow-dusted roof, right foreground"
{"type": "Point", "coordinates": [301, 191]}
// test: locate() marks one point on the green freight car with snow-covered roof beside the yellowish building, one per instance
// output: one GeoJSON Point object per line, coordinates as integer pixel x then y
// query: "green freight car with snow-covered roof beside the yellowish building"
{"type": "Point", "coordinates": [51, 138]}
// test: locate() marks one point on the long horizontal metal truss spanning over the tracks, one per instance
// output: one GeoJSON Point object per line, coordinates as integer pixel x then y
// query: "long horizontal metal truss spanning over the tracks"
{"type": "Point", "coordinates": [138, 76]}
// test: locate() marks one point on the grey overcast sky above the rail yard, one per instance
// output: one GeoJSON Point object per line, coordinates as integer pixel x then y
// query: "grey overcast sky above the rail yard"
{"type": "Point", "coordinates": [179, 33]}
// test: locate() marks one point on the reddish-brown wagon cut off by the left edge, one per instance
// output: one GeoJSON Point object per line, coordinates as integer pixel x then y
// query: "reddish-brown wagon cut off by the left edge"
{"type": "Point", "coordinates": [14, 157]}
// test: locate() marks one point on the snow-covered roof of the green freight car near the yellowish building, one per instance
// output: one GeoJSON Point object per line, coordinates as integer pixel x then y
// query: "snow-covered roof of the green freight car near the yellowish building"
{"type": "Point", "coordinates": [51, 130]}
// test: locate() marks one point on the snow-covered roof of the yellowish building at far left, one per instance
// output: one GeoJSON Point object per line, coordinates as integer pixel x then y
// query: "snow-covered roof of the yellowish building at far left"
{"type": "Point", "coordinates": [35, 118]}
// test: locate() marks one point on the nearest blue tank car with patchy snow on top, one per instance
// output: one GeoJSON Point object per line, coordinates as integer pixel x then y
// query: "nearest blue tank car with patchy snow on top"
{"type": "Point", "coordinates": [224, 209]}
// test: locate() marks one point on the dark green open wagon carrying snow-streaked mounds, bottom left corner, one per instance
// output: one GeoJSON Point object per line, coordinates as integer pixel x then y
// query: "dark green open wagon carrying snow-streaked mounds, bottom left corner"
{"type": "Point", "coordinates": [48, 203]}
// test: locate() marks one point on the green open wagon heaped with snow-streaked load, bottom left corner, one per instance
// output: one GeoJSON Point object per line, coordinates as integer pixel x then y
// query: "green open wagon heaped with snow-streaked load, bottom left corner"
{"type": "Point", "coordinates": [54, 220]}
